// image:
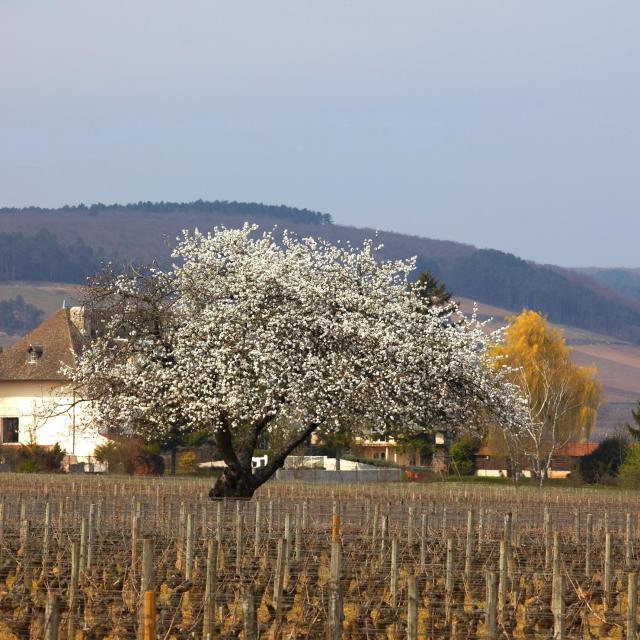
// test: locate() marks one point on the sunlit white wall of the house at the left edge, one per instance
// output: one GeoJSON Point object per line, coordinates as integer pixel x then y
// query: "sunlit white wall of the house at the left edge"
{"type": "Point", "coordinates": [47, 415]}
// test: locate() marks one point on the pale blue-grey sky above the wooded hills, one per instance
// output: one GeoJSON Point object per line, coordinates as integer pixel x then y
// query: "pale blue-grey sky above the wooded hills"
{"type": "Point", "coordinates": [512, 125]}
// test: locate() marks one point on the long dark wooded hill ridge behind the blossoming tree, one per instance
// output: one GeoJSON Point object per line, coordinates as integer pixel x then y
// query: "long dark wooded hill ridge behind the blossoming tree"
{"type": "Point", "coordinates": [66, 244]}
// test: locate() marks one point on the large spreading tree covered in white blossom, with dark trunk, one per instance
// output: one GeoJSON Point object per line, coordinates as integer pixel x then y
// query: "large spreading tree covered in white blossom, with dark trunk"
{"type": "Point", "coordinates": [246, 331]}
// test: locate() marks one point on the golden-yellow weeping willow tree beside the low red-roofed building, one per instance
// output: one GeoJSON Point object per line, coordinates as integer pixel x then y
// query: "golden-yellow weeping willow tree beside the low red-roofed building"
{"type": "Point", "coordinates": [563, 397]}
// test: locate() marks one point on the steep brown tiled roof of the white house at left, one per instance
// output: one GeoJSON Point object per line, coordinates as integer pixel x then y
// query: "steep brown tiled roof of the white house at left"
{"type": "Point", "coordinates": [60, 342]}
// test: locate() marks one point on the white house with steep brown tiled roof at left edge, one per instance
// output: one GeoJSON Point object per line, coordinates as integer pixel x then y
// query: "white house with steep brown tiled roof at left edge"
{"type": "Point", "coordinates": [37, 405]}
